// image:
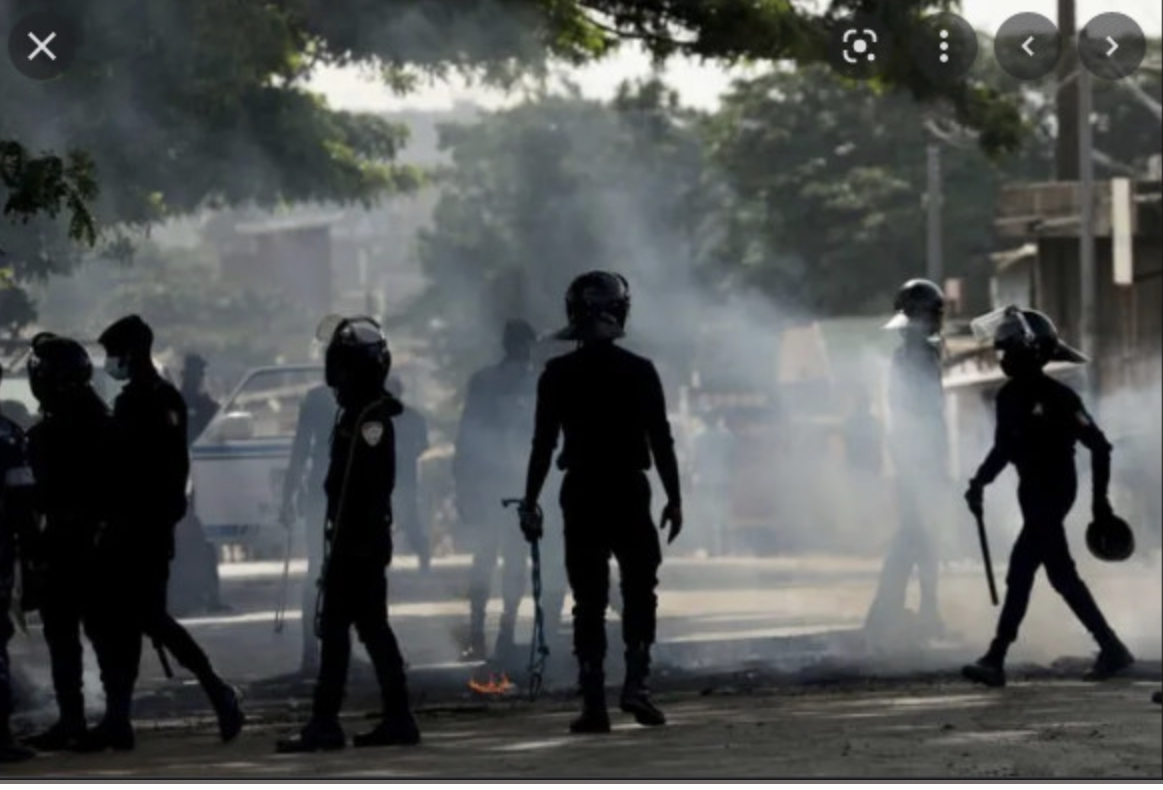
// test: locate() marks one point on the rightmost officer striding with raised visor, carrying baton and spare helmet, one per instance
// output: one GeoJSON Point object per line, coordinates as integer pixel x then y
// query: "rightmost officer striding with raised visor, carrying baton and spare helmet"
{"type": "Point", "coordinates": [1039, 422]}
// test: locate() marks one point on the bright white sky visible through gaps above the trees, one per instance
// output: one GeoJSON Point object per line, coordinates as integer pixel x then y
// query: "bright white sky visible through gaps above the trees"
{"type": "Point", "coordinates": [700, 86]}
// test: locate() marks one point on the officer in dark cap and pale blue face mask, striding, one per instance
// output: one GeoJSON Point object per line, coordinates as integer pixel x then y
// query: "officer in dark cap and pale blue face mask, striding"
{"type": "Point", "coordinates": [149, 496]}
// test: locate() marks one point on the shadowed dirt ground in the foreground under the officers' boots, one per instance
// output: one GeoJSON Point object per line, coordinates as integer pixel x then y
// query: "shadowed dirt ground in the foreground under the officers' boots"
{"type": "Point", "coordinates": [931, 730]}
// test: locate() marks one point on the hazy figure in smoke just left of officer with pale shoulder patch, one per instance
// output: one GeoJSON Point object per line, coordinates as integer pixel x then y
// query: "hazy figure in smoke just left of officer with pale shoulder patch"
{"type": "Point", "coordinates": [303, 494]}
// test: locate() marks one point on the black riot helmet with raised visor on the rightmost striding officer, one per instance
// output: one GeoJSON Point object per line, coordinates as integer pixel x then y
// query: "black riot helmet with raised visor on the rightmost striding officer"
{"type": "Point", "coordinates": [1025, 340]}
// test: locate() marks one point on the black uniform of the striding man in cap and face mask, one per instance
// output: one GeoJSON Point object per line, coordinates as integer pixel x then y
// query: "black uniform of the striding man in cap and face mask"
{"type": "Point", "coordinates": [151, 495]}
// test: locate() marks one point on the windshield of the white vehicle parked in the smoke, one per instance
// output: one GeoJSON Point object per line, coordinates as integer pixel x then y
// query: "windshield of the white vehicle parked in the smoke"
{"type": "Point", "coordinates": [265, 408]}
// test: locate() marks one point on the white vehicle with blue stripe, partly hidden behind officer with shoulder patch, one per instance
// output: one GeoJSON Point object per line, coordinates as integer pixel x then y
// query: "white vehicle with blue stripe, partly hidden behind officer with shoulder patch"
{"type": "Point", "coordinates": [238, 464]}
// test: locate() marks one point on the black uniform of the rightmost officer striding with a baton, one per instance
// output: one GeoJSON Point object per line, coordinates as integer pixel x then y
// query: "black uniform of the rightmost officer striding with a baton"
{"type": "Point", "coordinates": [1040, 421]}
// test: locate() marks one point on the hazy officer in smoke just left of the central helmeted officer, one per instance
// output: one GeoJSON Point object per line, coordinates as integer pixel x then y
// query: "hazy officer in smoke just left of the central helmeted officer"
{"type": "Point", "coordinates": [490, 454]}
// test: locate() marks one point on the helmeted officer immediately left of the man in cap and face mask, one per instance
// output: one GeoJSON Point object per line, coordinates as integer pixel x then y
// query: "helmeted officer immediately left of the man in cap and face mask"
{"type": "Point", "coordinates": [68, 450]}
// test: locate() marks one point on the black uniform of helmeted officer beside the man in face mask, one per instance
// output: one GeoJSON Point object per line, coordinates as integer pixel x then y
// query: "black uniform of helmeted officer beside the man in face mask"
{"type": "Point", "coordinates": [69, 451]}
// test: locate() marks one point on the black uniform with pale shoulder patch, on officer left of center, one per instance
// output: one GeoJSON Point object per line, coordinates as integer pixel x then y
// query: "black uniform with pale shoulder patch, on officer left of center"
{"type": "Point", "coordinates": [360, 481]}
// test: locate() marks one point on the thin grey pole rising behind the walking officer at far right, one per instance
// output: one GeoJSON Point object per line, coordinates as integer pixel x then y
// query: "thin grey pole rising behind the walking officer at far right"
{"type": "Point", "coordinates": [1088, 302]}
